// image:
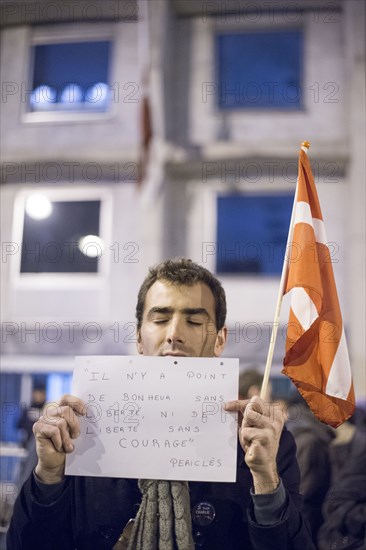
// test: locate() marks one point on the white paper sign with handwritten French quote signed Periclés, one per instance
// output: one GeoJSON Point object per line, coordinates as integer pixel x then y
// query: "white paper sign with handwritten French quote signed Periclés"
{"type": "Point", "coordinates": [156, 418]}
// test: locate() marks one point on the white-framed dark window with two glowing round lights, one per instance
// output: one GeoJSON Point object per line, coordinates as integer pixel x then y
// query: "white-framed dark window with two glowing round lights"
{"type": "Point", "coordinates": [61, 237]}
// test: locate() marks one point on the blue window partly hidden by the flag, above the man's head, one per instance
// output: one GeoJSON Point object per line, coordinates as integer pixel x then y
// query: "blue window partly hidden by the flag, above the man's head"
{"type": "Point", "coordinates": [252, 233]}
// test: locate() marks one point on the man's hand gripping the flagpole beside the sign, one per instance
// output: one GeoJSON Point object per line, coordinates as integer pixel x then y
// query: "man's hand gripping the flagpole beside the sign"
{"type": "Point", "coordinates": [259, 436]}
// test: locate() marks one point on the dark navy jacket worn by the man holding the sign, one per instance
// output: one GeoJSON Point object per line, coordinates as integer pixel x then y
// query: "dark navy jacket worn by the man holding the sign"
{"type": "Point", "coordinates": [90, 513]}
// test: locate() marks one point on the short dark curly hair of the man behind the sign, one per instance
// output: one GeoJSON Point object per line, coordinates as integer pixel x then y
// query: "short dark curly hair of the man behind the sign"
{"type": "Point", "coordinates": [183, 271]}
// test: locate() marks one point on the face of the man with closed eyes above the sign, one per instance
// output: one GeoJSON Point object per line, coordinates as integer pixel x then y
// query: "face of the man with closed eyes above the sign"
{"type": "Point", "coordinates": [180, 321]}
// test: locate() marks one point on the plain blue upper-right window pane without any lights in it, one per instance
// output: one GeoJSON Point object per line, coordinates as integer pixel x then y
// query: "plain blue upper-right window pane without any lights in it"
{"type": "Point", "coordinates": [259, 70]}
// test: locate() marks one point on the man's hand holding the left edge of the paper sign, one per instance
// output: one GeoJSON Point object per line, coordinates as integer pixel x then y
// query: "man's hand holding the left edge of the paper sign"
{"type": "Point", "coordinates": [54, 432]}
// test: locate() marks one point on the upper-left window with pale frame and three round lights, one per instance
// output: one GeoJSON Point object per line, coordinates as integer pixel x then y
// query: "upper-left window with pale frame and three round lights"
{"type": "Point", "coordinates": [70, 73]}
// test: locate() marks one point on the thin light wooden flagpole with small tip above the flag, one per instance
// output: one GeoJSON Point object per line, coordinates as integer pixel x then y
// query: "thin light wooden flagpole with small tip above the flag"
{"type": "Point", "coordinates": [304, 146]}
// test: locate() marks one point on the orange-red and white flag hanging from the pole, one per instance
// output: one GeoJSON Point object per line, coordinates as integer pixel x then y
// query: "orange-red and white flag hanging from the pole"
{"type": "Point", "coordinates": [316, 357]}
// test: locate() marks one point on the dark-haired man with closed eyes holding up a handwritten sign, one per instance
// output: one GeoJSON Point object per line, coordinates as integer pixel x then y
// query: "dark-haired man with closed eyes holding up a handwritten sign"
{"type": "Point", "coordinates": [181, 312]}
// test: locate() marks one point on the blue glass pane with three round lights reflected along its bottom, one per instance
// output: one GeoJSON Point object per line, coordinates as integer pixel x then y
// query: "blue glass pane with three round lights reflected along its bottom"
{"type": "Point", "coordinates": [72, 76]}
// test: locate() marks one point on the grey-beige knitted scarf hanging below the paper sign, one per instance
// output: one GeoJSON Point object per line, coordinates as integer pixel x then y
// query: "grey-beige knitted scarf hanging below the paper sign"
{"type": "Point", "coordinates": [163, 521]}
